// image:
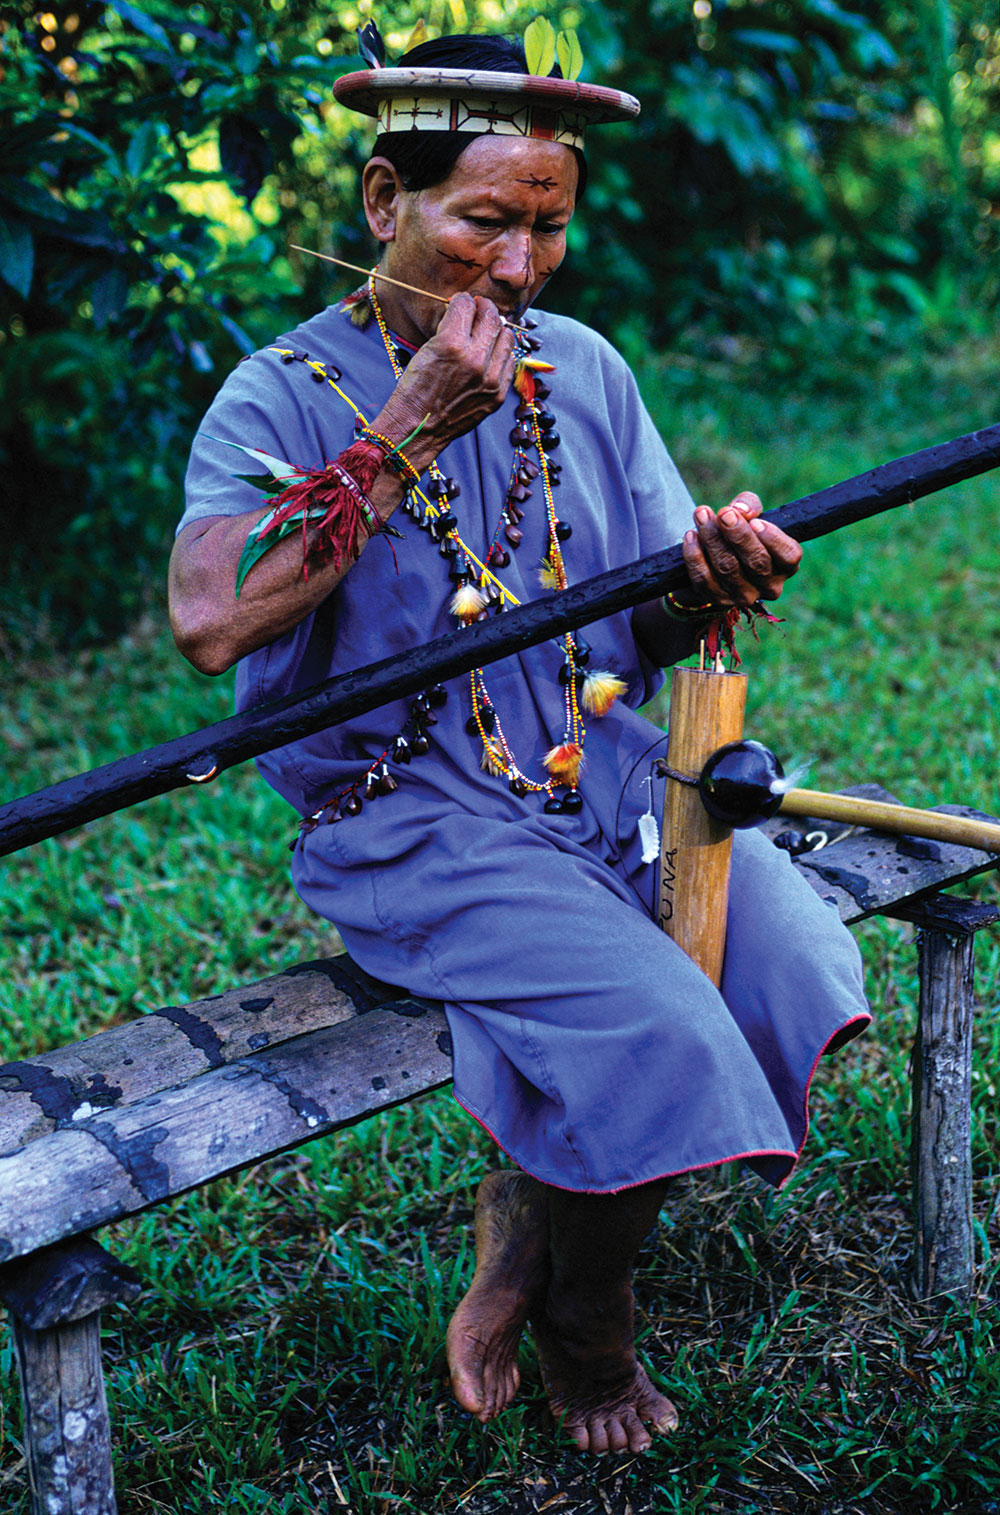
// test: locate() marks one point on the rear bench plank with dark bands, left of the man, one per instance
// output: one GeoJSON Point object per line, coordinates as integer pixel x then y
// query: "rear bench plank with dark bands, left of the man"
{"type": "Point", "coordinates": [177, 1043]}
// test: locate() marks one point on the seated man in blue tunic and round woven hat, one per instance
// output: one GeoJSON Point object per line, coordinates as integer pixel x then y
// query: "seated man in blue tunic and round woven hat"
{"type": "Point", "coordinates": [480, 845]}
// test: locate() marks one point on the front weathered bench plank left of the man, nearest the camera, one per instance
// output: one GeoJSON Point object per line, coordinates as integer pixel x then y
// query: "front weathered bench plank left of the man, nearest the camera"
{"type": "Point", "coordinates": [131, 1157]}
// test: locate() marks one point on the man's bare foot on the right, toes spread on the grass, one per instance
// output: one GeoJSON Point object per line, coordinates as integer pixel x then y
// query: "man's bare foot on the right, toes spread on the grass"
{"type": "Point", "coordinates": [598, 1390]}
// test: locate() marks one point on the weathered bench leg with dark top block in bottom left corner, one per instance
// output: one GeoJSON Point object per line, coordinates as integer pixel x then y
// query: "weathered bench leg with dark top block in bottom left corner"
{"type": "Point", "coordinates": [55, 1299]}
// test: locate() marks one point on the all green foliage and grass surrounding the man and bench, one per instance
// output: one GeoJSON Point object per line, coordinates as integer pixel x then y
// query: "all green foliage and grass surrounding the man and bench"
{"type": "Point", "coordinates": [799, 252]}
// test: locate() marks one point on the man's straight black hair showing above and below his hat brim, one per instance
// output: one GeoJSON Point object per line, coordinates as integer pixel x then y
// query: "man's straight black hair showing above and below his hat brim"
{"type": "Point", "coordinates": [423, 160]}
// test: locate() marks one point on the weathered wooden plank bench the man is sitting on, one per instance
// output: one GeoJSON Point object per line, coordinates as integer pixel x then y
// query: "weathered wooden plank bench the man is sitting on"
{"type": "Point", "coordinates": [143, 1113]}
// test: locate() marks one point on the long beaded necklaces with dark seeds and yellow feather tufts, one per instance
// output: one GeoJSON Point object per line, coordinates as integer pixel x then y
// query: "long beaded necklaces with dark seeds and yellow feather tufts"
{"type": "Point", "coordinates": [478, 592]}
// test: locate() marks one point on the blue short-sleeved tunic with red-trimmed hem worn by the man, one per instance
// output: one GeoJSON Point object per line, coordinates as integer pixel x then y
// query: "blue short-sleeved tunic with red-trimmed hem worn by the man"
{"type": "Point", "coordinates": [586, 1040]}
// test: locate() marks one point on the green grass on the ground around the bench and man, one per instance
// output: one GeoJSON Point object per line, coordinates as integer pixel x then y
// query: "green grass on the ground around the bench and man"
{"type": "Point", "coordinates": [286, 1355]}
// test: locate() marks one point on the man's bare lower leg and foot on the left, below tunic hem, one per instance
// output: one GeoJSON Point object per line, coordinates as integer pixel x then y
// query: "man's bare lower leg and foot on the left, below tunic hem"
{"type": "Point", "coordinates": [511, 1279]}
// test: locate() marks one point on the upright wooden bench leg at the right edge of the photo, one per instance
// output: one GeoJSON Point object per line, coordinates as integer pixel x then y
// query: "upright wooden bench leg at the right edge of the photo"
{"type": "Point", "coordinates": [942, 1134]}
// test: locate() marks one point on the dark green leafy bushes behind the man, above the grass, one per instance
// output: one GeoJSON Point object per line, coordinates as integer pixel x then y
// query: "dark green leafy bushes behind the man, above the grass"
{"type": "Point", "coordinates": [807, 178]}
